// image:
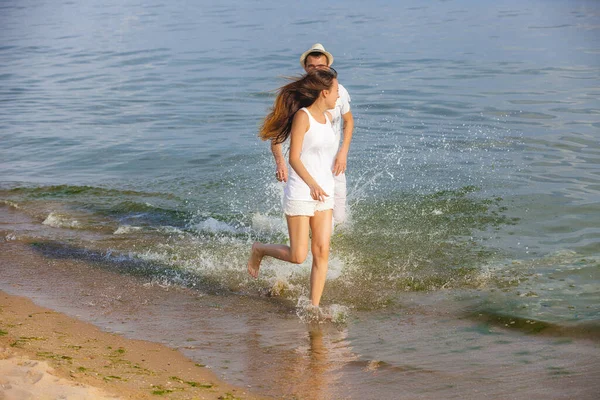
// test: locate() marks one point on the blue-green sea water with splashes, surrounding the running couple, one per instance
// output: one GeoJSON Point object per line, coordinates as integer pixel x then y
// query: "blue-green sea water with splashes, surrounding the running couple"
{"type": "Point", "coordinates": [128, 142]}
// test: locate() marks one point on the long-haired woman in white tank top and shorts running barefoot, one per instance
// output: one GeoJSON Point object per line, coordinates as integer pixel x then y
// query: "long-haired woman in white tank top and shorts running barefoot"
{"type": "Point", "coordinates": [300, 113]}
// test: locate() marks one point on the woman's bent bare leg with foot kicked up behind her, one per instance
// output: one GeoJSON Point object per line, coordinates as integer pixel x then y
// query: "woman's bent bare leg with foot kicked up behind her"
{"type": "Point", "coordinates": [295, 253]}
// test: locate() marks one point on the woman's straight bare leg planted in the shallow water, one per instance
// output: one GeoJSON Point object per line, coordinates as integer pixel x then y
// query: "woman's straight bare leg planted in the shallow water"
{"type": "Point", "coordinates": [320, 226]}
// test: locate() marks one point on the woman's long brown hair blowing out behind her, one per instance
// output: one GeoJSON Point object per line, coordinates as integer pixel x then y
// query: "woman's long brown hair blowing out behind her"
{"type": "Point", "coordinates": [277, 126]}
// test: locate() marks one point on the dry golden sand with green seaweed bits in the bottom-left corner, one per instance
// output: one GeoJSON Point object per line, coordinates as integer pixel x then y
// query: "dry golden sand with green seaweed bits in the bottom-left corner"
{"type": "Point", "coordinates": [47, 353]}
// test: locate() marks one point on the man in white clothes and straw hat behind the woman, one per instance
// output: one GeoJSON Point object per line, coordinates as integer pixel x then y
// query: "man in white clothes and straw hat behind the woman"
{"type": "Point", "coordinates": [343, 124]}
